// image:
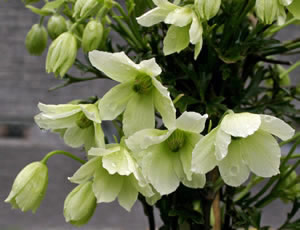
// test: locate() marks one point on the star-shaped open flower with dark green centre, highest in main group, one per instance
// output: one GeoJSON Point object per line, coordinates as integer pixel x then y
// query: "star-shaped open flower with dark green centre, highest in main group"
{"type": "Point", "coordinates": [139, 93]}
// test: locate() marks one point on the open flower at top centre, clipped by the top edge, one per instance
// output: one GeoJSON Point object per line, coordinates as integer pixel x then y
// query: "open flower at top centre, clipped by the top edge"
{"type": "Point", "coordinates": [185, 26]}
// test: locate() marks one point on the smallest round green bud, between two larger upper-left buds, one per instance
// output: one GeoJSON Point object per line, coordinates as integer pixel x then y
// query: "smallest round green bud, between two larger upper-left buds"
{"type": "Point", "coordinates": [56, 26]}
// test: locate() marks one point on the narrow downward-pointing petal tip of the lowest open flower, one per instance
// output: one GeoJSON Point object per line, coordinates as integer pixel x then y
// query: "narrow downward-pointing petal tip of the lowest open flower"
{"type": "Point", "coordinates": [128, 194]}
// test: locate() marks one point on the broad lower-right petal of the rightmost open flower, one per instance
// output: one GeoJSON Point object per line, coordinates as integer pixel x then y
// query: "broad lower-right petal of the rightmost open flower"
{"type": "Point", "coordinates": [261, 153]}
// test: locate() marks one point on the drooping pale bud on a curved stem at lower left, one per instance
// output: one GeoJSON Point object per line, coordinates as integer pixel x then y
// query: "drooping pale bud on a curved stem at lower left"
{"type": "Point", "coordinates": [29, 187]}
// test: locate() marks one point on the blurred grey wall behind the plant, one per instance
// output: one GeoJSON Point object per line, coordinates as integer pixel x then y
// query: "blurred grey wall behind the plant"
{"type": "Point", "coordinates": [24, 83]}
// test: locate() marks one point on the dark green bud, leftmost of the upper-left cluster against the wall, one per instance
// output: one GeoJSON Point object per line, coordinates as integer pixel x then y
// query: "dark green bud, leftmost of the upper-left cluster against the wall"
{"type": "Point", "coordinates": [36, 40]}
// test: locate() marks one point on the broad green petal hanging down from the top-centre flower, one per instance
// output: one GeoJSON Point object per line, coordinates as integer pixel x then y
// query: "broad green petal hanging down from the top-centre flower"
{"type": "Point", "coordinates": [177, 39]}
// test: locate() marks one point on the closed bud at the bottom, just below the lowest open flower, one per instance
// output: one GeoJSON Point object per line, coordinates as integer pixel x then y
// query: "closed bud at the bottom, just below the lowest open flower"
{"type": "Point", "coordinates": [80, 204]}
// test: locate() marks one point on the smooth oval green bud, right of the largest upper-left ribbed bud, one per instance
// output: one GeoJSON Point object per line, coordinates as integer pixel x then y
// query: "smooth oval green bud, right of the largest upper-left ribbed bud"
{"type": "Point", "coordinates": [92, 36]}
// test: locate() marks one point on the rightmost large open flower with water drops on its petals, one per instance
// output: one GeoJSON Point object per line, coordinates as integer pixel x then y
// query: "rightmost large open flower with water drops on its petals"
{"type": "Point", "coordinates": [243, 142]}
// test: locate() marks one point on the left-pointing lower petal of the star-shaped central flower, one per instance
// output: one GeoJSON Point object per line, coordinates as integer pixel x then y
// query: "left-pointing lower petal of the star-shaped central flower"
{"type": "Point", "coordinates": [114, 102]}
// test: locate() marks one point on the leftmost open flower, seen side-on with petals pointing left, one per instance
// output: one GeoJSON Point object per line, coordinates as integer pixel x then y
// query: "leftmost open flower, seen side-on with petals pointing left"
{"type": "Point", "coordinates": [78, 124]}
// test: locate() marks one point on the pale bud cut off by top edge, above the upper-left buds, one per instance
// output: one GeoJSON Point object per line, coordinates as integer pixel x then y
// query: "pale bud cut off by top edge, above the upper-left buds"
{"type": "Point", "coordinates": [85, 8]}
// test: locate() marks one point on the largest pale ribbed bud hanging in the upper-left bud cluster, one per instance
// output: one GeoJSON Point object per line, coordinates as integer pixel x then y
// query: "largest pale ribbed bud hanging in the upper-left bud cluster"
{"type": "Point", "coordinates": [62, 54]}
